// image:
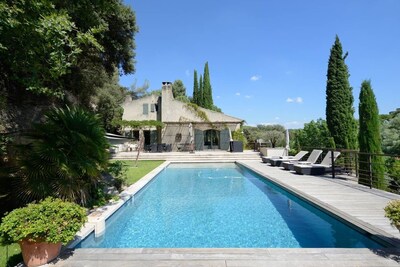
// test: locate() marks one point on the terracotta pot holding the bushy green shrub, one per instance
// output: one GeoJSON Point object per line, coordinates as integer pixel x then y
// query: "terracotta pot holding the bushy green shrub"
{"type": "Point", "coordinates": [38, 253]}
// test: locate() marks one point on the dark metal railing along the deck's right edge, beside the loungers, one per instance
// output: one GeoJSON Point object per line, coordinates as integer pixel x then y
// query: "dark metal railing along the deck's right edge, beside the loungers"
{"type": "Point", "coordinates": [381, 171]}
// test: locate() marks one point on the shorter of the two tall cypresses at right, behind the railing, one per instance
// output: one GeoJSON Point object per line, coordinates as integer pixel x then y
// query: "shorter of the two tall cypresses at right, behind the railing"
{"type": "Point", "coordinates": [369, 139]}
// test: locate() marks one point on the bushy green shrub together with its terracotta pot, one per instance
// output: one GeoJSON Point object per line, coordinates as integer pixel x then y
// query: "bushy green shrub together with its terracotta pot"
{"type": "Point", "coordinates": [41, 228]}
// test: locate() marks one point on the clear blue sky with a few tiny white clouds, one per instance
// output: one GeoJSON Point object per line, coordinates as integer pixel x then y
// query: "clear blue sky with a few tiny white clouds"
{"type": "Point", "coordinates": [268, 58]}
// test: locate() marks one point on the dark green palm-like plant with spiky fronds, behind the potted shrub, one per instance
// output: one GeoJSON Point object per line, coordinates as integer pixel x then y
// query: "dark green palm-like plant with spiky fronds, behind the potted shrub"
{"type": "Point", "coordinates": [64, 156]}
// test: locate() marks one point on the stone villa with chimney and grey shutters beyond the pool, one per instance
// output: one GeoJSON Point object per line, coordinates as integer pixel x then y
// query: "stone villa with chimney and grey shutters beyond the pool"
{"type": "Point", "coordinates": [186, 126]}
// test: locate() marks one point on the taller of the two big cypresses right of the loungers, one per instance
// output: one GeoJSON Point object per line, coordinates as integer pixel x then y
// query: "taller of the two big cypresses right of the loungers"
{"type": "Point", "coordinates": [339, 100]}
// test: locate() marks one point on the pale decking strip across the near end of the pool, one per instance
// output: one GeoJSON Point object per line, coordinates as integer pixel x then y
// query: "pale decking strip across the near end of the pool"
{"type": "Point", "coordinates": [228, 257]}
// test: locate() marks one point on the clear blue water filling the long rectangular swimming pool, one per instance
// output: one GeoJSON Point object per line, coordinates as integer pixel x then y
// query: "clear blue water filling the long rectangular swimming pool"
{"type": "Point", "coordinates": [221, 205]}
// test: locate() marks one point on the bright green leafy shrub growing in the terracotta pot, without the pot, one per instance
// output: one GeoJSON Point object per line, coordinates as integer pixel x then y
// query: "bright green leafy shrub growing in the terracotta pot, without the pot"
{"type": "Point", "coordinates": [51, 220]}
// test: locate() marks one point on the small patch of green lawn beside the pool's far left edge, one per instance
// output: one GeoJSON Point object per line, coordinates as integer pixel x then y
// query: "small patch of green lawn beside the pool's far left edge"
{"type": "Point", "coordinates": [144, 167]}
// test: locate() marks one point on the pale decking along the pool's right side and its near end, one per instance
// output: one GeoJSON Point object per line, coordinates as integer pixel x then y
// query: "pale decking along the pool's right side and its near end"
{"type": "Point", "coordinates": [354, 203]}
